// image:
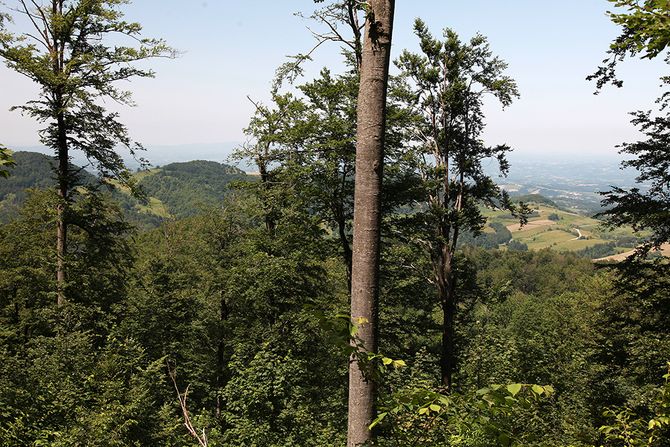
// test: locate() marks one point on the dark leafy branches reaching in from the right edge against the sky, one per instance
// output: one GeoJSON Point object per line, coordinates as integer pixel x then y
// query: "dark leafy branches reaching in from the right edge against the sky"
{"type": "Point", "coordinates": [645, 32]}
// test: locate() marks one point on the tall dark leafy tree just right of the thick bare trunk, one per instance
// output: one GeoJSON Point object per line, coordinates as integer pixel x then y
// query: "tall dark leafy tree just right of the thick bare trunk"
{"type": "Point", "coordinates": [445, 88]}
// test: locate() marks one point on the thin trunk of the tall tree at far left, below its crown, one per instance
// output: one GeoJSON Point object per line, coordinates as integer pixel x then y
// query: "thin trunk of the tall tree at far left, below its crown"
{"type": "Point", "coordinates": [61, 210]}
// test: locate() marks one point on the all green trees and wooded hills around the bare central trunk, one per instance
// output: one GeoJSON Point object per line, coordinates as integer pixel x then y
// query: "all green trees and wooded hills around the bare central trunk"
{"type": "Point", "coordinates": [194, 304]}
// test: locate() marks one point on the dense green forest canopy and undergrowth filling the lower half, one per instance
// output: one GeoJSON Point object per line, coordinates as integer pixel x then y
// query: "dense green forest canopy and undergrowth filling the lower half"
{"type": "Point", "coordinates": [252, 325]}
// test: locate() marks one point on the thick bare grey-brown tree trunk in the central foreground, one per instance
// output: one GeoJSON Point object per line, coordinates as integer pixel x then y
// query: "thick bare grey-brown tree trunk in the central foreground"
{"type": "Point", "coordinates": [371, 117]}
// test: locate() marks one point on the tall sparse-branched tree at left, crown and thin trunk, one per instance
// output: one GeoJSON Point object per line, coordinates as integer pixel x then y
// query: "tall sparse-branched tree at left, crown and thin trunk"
{"type": "Point", "coordinates": [69, 53]}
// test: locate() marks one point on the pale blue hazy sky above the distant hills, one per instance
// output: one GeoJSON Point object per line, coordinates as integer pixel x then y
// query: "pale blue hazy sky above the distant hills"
{"type": "Point", "coordinates": [232, 47]}
